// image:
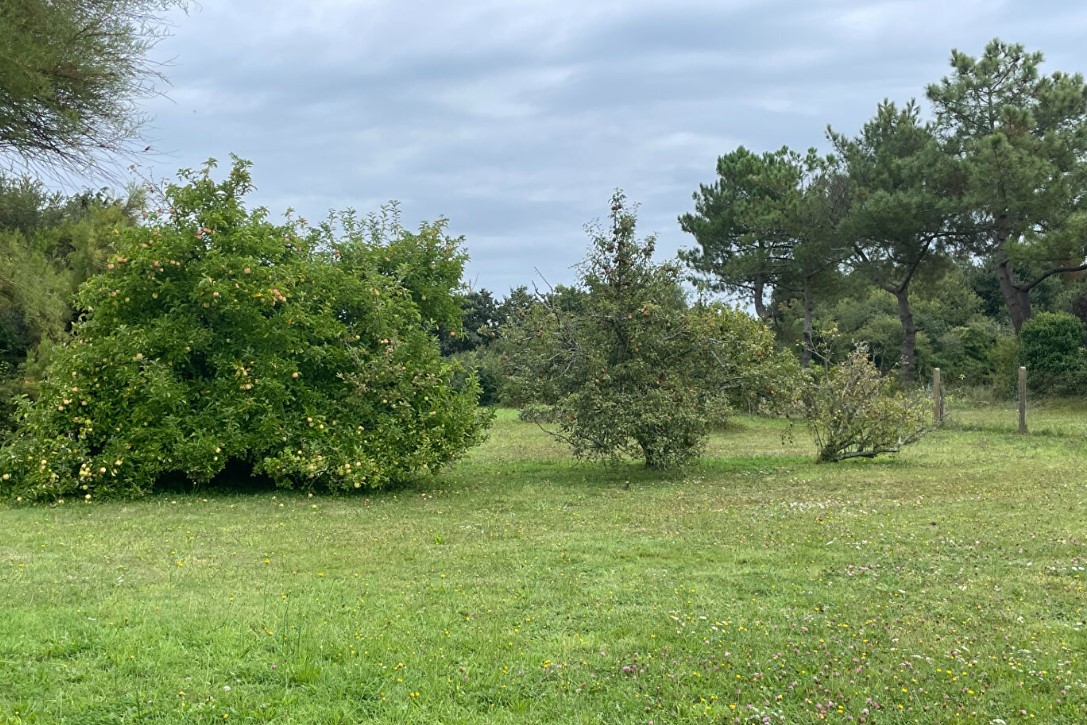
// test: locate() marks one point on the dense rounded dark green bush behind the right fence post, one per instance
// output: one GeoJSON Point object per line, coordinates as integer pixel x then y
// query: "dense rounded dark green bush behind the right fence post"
{"type": "Point", "coordinates": [1052, 347]}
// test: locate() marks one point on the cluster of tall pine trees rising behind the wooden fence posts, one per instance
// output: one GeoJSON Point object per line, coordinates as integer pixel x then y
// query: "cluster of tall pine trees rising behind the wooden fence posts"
{"type": "Point", "coordinates": [985, 192]}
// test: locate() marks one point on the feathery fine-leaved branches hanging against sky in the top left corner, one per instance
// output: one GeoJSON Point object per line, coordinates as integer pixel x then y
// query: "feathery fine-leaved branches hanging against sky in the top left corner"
{"type": "Point", "coordinates": [71, 76]}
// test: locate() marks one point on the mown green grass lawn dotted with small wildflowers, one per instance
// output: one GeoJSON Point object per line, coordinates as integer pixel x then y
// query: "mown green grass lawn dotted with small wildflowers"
{"type": "Point", "coordinates": [947, 584]}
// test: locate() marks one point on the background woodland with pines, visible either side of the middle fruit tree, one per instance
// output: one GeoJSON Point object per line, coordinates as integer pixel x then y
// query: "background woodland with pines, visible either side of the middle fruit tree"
{"type": "Point", "coordinates": [936, 240]}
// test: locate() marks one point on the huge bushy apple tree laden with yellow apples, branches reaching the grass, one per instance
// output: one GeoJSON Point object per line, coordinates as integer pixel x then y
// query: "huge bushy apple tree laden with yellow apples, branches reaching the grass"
{"type": "Point", "coordinates": [216, 336]}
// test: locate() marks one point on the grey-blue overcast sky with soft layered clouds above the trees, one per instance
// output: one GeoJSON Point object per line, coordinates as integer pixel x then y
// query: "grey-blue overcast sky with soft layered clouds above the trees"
{"type": "Point", "coordinates": [516, 120]}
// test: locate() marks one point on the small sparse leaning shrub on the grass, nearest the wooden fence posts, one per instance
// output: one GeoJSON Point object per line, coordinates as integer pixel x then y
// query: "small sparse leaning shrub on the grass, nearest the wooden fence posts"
{"type": "Point", "coordinates": [855, 412]}
